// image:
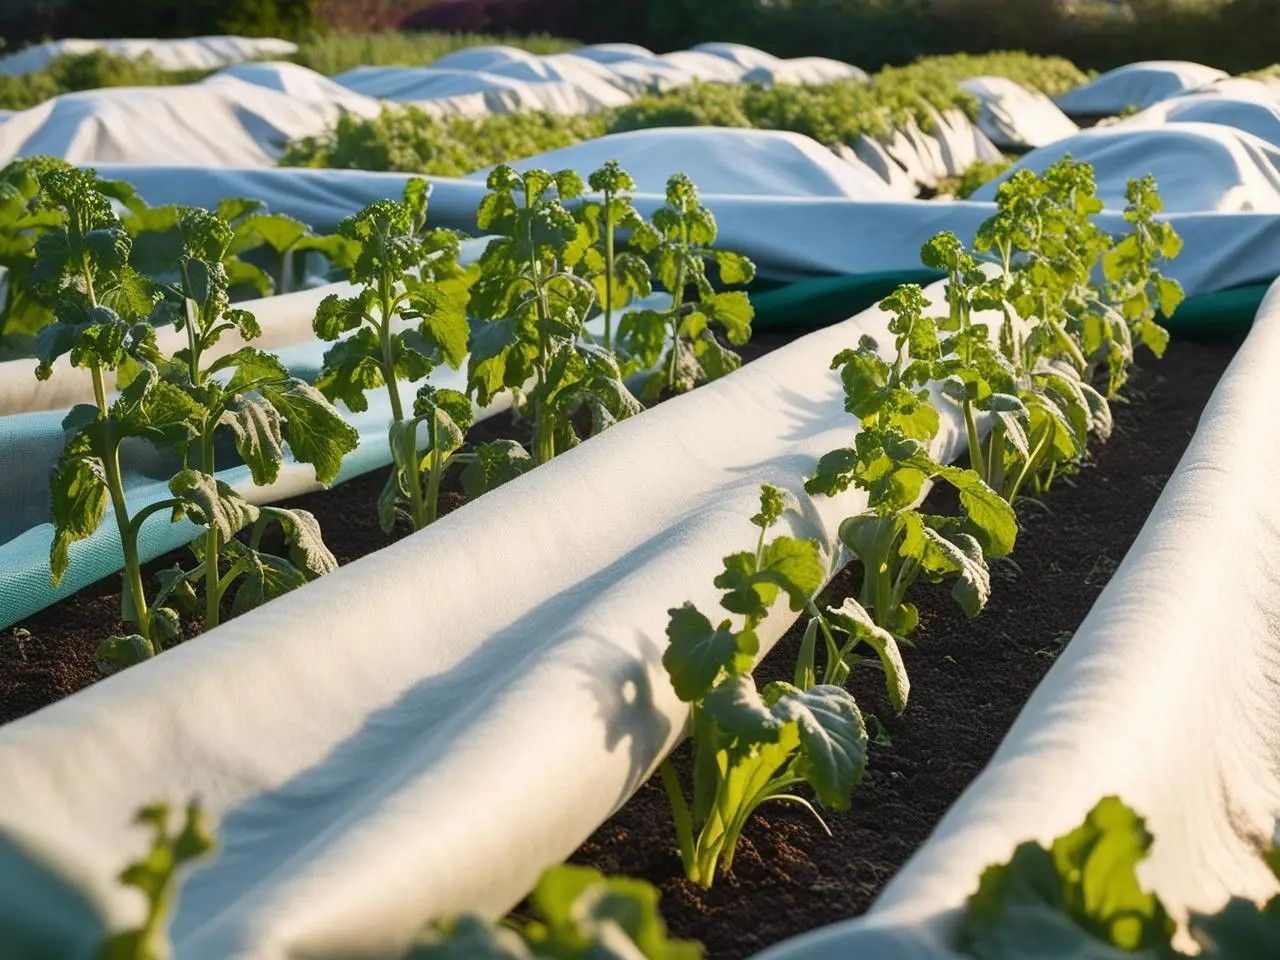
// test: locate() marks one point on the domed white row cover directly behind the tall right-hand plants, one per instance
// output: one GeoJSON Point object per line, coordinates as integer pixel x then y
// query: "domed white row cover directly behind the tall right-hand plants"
{"type": "Point", "coordinates": [1200, 167]}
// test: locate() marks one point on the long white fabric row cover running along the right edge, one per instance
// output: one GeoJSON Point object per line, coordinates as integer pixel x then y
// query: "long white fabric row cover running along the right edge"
{"type": "Point", "coordinates": [1168, 697]}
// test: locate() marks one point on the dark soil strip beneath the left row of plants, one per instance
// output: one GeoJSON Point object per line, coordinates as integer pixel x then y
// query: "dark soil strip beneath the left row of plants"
{"type": "Point", "coordinates": [51, 655]}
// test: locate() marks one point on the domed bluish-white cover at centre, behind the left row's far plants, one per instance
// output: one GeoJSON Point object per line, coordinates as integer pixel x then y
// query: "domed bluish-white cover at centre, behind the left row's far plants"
{"type": "Point", "coordinates": [730, 162]}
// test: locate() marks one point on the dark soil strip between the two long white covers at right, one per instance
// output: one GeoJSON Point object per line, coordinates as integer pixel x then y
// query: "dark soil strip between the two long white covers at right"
{"type": "Point", "coordinates": [970, 680]}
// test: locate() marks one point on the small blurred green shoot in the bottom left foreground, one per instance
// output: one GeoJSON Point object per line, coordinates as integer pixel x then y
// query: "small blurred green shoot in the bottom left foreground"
{"type": "Point", "coordinates": [157, 876]}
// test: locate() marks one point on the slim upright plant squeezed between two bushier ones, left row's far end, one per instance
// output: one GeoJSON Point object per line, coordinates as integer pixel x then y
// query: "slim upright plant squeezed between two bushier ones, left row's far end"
{"type": "Point", "coordinates": [618, 277]}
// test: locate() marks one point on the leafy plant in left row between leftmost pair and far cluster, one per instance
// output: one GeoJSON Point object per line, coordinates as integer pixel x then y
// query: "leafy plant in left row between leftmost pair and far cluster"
{"type": "Point", "coordinates": [408, 319]}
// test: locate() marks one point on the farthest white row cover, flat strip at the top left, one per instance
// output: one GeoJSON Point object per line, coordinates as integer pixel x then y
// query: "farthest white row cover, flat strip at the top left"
{"type": "Point", "coordinates": [191, 54]}
